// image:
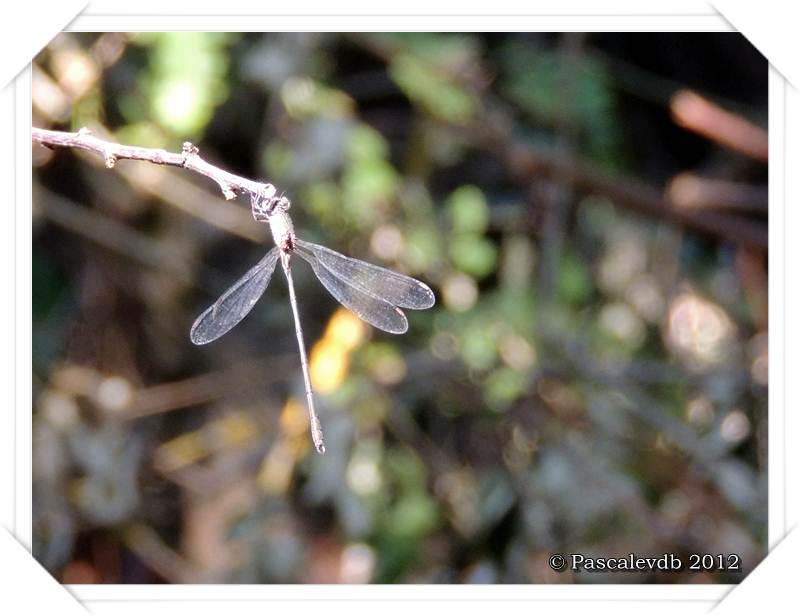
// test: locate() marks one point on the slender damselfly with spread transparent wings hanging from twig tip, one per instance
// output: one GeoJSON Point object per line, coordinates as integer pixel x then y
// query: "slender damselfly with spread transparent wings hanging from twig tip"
{"type": "Point", "coordinates": [375, 294]}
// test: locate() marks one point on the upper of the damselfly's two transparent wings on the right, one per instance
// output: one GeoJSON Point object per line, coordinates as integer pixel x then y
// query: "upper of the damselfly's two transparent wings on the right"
{"type": "Point", "coordinates": [379, 282]}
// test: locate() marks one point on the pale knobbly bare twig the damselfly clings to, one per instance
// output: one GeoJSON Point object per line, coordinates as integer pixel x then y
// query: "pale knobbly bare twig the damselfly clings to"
{"type": "Point", "coordinates": [188, 158]}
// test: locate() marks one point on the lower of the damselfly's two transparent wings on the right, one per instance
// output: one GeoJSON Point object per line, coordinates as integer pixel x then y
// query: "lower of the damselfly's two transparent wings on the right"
{"type": "Point", "coordinates": [373, 310]}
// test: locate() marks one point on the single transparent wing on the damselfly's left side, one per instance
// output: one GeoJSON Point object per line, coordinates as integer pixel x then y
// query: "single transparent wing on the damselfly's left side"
{"type": "Point", "coordinates": [235, 303]}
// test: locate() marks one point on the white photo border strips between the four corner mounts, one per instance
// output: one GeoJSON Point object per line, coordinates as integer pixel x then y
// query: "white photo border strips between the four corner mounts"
{"type": "Point", "coordinates": [102, 596]}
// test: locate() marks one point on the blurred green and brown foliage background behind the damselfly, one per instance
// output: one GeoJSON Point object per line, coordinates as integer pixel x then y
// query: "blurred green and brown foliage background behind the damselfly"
{"type": "Point", "coordinates": [590, 210]}
